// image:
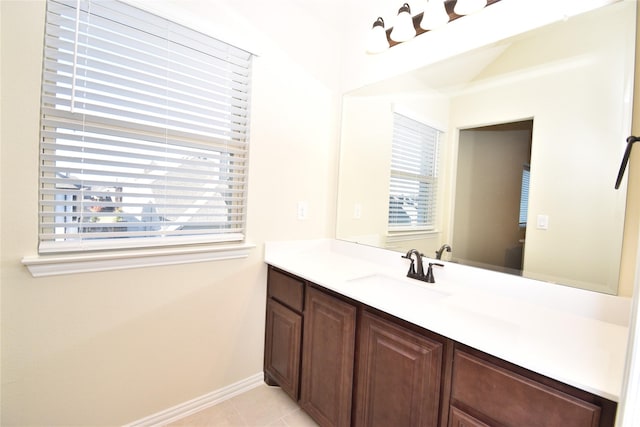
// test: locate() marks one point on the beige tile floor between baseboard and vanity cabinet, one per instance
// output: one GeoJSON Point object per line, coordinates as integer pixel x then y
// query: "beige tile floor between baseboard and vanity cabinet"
{"type": "Point", "coordinates": [261, 406]}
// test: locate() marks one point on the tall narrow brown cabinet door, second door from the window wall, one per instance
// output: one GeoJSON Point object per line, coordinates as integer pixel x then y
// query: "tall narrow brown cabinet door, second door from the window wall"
{"type": "Point", "coordinates": [327, 358]}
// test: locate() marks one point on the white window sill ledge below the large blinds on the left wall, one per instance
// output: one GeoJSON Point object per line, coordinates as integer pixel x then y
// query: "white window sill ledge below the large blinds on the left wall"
{"type": "Point", "coordinates": [55, 265]}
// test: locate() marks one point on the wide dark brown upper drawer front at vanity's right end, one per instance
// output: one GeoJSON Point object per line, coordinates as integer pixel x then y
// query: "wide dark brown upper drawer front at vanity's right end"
{"type": "Point", "coordinates": [510, 399]}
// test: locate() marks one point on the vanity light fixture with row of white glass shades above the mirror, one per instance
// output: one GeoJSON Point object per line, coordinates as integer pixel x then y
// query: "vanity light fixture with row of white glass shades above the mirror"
{"type": "Point", "coordinates": [436, 14]}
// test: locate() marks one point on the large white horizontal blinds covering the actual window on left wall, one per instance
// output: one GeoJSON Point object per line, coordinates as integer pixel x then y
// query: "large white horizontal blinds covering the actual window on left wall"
{"type": "Point", "coordinates": [144, 131]}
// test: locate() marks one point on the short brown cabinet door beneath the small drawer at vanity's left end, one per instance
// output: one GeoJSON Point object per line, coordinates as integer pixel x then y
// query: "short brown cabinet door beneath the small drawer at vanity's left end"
{"type": "Point", "coordinates": [282, 348]}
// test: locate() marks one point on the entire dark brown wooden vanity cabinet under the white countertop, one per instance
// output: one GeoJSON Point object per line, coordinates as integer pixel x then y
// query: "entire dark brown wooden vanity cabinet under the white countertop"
{"type": "Point", "coordinates": [350, 364]}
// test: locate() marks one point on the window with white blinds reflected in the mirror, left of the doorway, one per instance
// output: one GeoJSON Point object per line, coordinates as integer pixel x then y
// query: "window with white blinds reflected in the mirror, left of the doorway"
{"type": "Point", "coordinates": [414, 175]}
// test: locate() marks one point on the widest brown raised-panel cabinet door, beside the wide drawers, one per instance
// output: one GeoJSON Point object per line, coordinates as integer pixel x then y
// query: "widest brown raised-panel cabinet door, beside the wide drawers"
{"type": "Point", "coordinates": [399, 373]}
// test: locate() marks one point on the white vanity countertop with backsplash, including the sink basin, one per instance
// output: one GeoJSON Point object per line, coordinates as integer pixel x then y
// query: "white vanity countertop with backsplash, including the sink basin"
{"type": "Point", "coordinates": [575, 336]}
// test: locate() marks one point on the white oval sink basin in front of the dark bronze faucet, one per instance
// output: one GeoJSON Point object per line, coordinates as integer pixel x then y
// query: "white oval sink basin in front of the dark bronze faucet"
{"type": "Point", "coordinates": [404, 287]}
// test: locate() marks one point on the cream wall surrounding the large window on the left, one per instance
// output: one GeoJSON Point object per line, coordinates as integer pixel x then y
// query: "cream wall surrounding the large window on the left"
{"type": "Point", "coordinates": [110, 348]}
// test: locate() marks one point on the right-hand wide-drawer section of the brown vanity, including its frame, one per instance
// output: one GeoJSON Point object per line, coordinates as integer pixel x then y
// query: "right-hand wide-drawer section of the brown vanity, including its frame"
{"type": "Point", "coordinates": [493, 392]}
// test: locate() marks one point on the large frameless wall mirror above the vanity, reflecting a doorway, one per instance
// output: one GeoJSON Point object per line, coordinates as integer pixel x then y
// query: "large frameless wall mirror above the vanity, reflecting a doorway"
{"type": "Point", "coordinates": [537, 122]}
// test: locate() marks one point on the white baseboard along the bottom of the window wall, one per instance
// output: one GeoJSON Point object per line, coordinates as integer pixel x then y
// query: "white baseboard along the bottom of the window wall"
{"type": "Point", "coordinates": [199, 403]}
